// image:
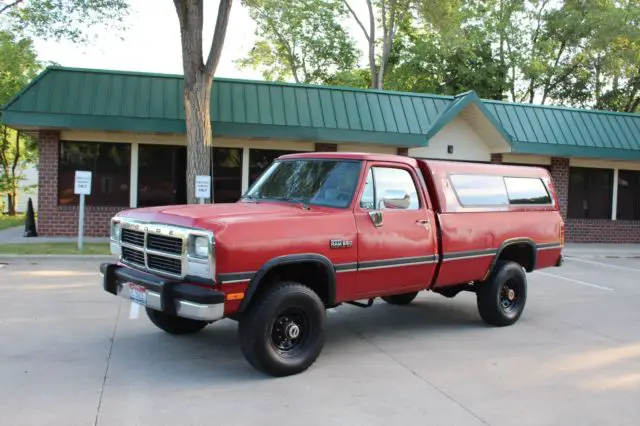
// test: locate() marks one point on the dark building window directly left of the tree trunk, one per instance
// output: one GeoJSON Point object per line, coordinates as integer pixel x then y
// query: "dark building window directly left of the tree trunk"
{"type": "Point", "coordinates": [161, 175]}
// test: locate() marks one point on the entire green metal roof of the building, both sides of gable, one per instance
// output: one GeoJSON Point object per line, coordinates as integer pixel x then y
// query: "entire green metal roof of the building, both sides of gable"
{"type": "Point", "coordinates": [63, 97]}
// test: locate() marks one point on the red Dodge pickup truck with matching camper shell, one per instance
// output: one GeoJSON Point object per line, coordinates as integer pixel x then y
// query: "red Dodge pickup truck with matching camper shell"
{"type": "Point", "coordinates": [318, 230]}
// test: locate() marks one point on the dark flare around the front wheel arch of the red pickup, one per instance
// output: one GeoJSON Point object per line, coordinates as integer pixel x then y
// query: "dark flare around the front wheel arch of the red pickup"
{"type": "Point", "coordinates": [315, 258]}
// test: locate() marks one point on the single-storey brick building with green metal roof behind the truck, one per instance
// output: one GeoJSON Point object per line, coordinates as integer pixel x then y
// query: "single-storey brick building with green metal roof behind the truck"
{"type": "Point", "coordinates": [128, 129]}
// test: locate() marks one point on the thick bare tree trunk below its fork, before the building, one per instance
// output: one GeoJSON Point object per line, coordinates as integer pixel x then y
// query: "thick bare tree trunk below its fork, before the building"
{"type": "Point", "coordinates": [197, 96]}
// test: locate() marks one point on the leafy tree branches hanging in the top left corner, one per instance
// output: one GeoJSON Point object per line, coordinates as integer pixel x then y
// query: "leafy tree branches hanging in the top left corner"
{"type": "Point", "coordinates": [62, 19]}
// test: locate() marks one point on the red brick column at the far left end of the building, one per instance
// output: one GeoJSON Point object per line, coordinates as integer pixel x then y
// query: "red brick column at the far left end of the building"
{"type": "Point", "coordinates": [49, 153]}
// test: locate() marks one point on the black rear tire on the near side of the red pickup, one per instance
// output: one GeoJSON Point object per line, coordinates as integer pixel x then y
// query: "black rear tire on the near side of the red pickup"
{"type": "Point", "coordinates": [490, 296]}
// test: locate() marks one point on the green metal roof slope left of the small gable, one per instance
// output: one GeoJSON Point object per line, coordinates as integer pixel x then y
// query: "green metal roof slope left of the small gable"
{"type": "Point", "coordinates": [128, 101]}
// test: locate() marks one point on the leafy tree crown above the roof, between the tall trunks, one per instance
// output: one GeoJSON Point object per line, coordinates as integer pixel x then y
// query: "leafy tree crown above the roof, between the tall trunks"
{"type": "Point", "coordinates": [299, 39]}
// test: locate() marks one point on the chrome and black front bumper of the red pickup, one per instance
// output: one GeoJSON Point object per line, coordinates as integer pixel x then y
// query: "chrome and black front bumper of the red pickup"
{"type": "Point", "coordinates": [177, 298]}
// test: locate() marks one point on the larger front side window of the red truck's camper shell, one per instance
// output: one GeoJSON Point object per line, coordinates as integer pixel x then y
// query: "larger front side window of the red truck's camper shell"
{"type": "Point", "coordinates": [480, 190]}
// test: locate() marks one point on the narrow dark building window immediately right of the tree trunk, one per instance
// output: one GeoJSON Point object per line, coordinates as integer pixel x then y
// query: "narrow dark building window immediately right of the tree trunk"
{"type": "Point", "coordinates": [227, 174]}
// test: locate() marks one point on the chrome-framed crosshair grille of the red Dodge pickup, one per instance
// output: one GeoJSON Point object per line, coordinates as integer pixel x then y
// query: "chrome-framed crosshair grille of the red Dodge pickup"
{"type": "Point", "coordinates": [165, 256]}
